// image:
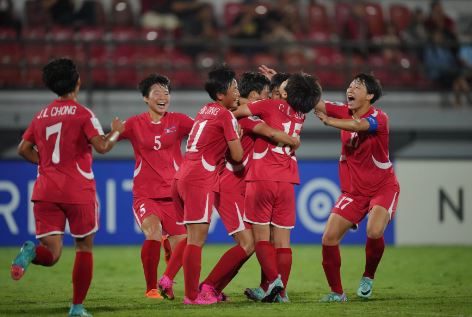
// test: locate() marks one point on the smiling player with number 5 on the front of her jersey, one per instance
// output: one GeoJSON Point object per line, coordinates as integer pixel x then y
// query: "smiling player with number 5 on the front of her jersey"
{"type": "Point", "coordinates": [156, 136]}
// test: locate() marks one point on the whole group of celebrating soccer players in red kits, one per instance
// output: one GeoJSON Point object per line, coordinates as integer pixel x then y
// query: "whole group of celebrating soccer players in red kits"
{"type": "Point", "coordinates": [239, 160]}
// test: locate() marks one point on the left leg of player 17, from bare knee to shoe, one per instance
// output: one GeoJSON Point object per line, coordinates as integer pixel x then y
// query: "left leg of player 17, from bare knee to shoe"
{"type": "Point", "coordinates": [335, 229]}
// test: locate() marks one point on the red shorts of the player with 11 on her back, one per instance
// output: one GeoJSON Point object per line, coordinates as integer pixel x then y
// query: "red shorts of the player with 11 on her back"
{"type": "Point", "coordinates": [193, 204]}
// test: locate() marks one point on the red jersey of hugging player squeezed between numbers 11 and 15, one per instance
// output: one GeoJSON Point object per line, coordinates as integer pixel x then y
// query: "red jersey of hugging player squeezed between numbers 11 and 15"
{"type": "Point", "coordinates": [233, 175]}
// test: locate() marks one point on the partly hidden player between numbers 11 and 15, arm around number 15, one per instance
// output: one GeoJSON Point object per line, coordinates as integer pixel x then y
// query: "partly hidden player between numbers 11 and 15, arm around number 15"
{"type": "Point", "coordinates": [229, 201]}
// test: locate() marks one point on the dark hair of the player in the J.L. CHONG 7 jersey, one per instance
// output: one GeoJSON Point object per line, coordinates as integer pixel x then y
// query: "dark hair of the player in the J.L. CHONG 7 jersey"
{"type": "Point", "coordinates": [60, 76]}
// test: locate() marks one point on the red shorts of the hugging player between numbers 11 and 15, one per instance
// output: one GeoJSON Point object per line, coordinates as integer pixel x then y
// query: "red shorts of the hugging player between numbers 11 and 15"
{"type": "Point", "coordinates": [230, 207]}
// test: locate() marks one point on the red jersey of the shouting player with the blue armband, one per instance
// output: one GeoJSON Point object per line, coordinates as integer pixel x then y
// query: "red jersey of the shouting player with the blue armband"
{"type": "Point", "coordinates": [364, 164]}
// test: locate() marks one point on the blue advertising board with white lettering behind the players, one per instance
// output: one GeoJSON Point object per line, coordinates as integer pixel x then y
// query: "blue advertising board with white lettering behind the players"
{"type": "Point", "coordinates": [315, 196]}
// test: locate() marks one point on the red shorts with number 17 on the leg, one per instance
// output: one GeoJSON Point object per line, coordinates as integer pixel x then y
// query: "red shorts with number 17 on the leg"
{"type": "Point", "coordinates": [355, 207]}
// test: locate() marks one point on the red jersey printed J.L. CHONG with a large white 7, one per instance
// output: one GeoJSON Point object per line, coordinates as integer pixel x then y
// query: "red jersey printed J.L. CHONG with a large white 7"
{"type": "Point", "coordinates": [62, 132]}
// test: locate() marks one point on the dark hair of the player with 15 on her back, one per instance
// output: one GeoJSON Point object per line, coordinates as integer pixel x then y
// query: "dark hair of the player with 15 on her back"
{"type": "Point", "coordinates": [303, 92]}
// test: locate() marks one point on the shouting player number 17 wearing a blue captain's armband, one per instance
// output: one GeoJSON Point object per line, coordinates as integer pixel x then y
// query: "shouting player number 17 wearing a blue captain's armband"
{"type": "Point", "coordinates": [368, 182]}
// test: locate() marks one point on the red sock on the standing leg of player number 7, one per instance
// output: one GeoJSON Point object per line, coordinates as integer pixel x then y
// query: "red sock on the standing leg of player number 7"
{"type": "Point", "coordinates": [81, 275]}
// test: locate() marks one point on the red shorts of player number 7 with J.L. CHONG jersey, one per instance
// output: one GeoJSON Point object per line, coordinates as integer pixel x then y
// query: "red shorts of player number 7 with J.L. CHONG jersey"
{"type": "Point", "coordinates": [51, 218]}
